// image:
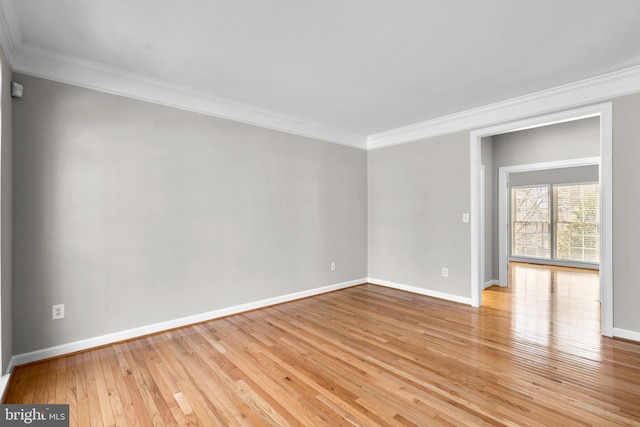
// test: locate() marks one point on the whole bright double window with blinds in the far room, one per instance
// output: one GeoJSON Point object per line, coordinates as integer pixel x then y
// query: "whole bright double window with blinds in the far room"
{"type": "Point", "coordinates": [556, 222]}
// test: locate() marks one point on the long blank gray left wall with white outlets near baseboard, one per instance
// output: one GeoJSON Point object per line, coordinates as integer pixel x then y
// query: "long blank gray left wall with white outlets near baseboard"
{"type": "Point", "coordinates": [132, 213]}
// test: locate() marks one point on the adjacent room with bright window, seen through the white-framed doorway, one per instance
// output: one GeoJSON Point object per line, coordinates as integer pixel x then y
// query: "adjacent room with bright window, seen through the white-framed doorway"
{"type": "Point", "coordinates": [546, 217]}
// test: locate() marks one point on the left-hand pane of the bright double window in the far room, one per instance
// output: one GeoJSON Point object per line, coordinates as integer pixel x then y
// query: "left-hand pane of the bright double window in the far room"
{"type": "Point", "coordinates": [530, 222]}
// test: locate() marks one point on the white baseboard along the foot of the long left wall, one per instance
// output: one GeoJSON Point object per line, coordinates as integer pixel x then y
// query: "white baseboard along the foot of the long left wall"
{"type": "Point", "coordinates": [76, 346]}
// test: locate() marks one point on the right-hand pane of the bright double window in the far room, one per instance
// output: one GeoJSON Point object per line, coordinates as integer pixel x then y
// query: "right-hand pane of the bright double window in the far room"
{"type": "Point", "coordinates": [577, 226]}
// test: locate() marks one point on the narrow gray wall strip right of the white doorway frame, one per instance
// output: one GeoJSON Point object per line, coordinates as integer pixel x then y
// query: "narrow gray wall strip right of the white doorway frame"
{"type": "Point", "coordinates": [626, 234]}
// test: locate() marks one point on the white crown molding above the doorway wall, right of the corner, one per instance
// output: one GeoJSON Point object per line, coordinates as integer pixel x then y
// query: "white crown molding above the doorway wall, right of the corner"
{"type": "Point", "coordinates": [584, 92]}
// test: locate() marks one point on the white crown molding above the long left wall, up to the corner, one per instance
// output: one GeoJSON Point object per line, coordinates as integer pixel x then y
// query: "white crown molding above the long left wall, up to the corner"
{"type": "Point", "coordinates": [31, 60]}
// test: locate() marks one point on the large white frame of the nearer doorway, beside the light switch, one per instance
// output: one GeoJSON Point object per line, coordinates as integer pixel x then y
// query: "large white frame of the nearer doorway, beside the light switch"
{"type": "Point", "coordinates": [604, 111]}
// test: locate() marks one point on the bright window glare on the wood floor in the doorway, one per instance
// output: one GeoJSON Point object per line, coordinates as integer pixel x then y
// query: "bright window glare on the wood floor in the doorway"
{"type": "Point", "coordinates": [549, 303]}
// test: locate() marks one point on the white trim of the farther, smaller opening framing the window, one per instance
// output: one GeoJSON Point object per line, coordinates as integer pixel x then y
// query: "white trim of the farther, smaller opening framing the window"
{"type": "Point", "coordinates": [503, 200]}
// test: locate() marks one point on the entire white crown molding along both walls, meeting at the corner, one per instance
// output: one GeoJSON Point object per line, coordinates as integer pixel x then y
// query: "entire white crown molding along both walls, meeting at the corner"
{"type": "Point", "coordinates": [63, 68]}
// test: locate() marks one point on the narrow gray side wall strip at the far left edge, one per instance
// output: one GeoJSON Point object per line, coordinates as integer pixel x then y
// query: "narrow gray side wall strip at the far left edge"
{"type": "Point", "coordinates": [6, 215]}
